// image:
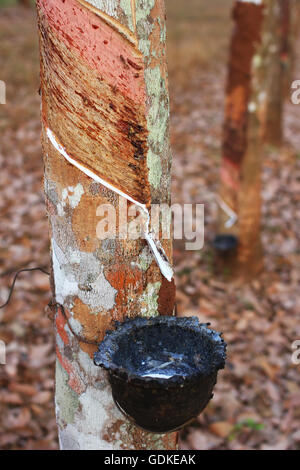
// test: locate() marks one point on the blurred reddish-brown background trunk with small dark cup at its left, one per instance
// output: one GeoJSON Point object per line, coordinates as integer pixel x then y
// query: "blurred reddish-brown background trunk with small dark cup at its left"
{"type": "Point", "coordinates": [242, 152]}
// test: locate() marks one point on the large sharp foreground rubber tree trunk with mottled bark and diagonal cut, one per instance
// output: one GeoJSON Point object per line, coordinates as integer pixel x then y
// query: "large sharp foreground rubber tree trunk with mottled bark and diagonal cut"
{"type": "Point", "coordinates": [105, 107]}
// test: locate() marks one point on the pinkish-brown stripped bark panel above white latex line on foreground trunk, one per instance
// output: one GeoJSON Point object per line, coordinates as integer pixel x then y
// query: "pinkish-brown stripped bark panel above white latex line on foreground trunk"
{"type": "Point", "coordinates": [103, 98]}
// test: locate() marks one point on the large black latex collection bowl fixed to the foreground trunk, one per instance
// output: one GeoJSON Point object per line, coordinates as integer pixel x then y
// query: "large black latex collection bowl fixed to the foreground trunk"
{"type": "Point", "coordinates": [162, 370]}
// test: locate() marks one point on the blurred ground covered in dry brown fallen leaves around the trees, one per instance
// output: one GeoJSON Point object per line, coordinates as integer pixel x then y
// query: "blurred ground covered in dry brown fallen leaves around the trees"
{"type": "Point", "coordinates": [257, 399]}
